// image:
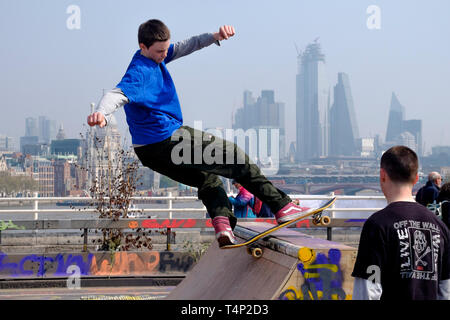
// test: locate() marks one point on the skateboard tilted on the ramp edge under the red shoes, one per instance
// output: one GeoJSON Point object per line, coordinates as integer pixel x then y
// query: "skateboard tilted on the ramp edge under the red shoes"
{"type": "Point", "coordinates": [257, 251]}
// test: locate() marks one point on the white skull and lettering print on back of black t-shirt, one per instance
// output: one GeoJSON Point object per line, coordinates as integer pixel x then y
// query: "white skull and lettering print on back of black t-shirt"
{"type": "Point", "coordinates": [419, 249]}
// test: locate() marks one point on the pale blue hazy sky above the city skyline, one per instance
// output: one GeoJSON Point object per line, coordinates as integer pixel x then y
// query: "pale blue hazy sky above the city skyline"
{"type": "Point", "coordinates": [48, 69]}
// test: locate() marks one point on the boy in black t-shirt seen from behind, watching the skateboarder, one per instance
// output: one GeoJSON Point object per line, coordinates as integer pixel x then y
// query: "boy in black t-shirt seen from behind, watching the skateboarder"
{"type": "Point", "coordinates": [403, 252]}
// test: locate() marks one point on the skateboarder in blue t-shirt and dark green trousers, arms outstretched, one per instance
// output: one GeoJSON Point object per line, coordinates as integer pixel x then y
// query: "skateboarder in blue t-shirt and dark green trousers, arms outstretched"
{"type": "Point", "coordinates": [155, 122]}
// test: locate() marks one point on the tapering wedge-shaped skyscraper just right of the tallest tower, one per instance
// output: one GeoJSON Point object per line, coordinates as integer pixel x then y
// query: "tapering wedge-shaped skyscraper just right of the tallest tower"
{"type": "Point", "coordinates": [343, 126]}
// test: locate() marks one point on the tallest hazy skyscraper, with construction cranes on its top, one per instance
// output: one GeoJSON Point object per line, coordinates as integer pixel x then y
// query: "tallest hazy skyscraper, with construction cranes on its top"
{"type": "Point", "coordinates": [312, 104]}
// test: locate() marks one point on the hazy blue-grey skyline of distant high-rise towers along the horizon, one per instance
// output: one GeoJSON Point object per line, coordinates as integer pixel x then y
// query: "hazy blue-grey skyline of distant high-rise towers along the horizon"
{"type": "Point", "coordinates": [336, 126]}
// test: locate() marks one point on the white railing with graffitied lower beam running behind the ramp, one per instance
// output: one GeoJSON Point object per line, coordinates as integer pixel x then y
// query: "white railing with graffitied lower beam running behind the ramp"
{"type": "Point", "coordinates": [341, 214]}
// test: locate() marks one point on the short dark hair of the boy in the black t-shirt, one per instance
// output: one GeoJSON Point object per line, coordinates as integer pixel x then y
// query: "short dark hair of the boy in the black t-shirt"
{"type": "Point", "coordinates": [401, 164]}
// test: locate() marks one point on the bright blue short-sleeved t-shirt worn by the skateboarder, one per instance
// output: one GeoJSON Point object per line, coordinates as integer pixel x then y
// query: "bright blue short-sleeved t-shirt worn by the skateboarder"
{"type": "Point", "coordinates": [153, 112]}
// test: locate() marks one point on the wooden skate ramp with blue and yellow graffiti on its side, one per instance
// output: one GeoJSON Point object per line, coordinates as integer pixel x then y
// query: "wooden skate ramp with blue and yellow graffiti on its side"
{"type": "Point", "coordinates": [293, 266]}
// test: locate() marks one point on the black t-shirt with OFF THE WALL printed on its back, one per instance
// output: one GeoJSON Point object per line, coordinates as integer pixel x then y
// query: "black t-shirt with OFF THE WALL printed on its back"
{"type": "Point", "coordinates": [409, 247]}
